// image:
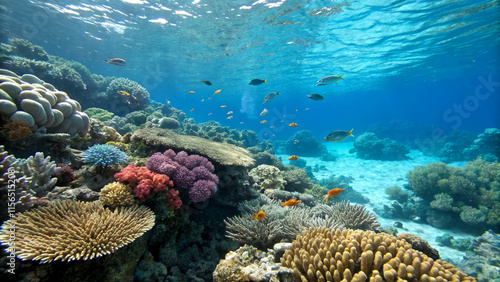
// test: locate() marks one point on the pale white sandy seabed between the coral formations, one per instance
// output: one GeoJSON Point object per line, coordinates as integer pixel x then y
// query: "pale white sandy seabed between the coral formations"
{"type": "Point", "coordinates": [372, 177]}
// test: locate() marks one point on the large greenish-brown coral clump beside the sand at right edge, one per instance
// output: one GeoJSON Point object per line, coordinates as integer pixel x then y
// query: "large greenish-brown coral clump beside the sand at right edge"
{"type": "Point", "coordinates": [469, 194]}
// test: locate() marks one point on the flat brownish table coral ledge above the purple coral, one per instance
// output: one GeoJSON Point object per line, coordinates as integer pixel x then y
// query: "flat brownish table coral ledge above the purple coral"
{"type": "Point", "coordinates": [224, 154]}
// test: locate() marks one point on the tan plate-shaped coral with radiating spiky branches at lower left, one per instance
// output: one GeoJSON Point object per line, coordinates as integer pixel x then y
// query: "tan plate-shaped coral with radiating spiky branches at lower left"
{"type": "Point", "coordinates": [74, 230]}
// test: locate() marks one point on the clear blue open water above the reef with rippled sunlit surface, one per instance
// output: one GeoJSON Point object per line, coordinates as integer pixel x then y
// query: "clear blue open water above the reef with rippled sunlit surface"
{"type": "Point", "coordinates": [419, 61]}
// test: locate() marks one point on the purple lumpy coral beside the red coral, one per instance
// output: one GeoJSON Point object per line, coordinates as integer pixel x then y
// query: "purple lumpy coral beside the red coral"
{"type": "Point", "coordinates": [191, 172]}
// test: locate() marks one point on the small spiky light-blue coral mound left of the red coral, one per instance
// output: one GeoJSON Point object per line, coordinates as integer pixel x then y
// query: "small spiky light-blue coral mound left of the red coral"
{"type": "Point", "coordinates": [104, 155]}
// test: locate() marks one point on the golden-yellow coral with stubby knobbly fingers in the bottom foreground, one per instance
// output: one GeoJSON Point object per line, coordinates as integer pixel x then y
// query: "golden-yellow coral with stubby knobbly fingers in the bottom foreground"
{"type": "Point", "coordinates": [322, 254]}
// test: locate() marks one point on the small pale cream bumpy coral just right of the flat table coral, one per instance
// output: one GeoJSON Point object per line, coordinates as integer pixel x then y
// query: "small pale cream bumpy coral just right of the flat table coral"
{"type": "Point", "coordinates": [267, 177]}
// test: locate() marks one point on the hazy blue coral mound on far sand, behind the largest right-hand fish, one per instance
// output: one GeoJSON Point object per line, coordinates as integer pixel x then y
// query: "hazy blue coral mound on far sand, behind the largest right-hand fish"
{"type": "Point", "coordinates": [369, 146]}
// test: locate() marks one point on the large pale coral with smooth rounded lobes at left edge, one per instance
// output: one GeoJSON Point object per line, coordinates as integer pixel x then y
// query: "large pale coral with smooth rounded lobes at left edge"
{"type": "Point", "coordinates": [29, 99]}
